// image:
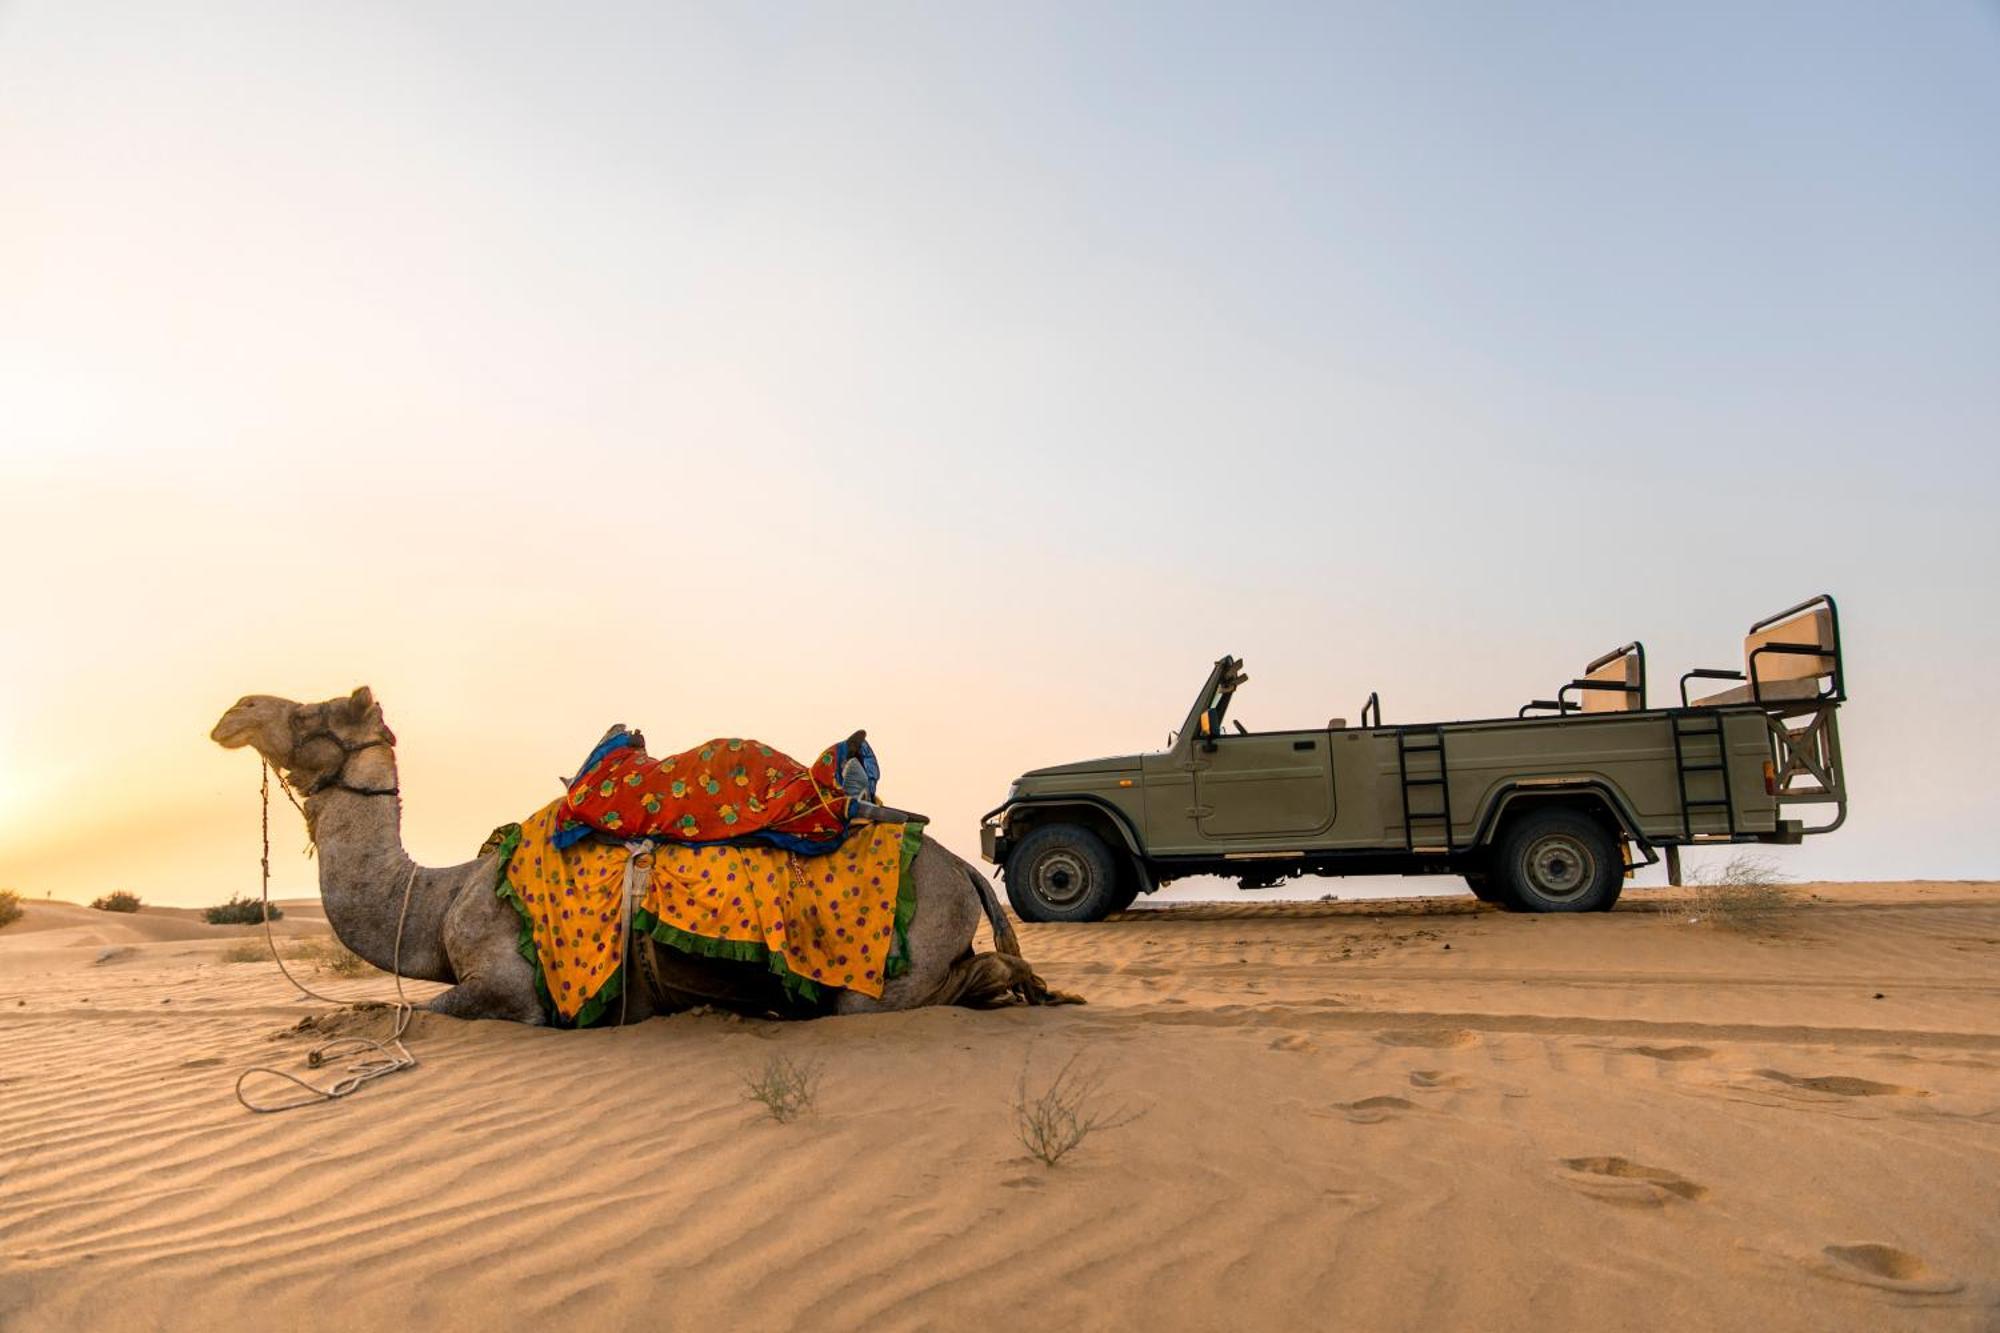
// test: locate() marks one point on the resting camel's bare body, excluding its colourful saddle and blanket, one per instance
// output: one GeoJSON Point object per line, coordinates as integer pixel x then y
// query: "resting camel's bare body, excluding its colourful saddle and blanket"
{"type": "Point", "coordinates": [341, 760]}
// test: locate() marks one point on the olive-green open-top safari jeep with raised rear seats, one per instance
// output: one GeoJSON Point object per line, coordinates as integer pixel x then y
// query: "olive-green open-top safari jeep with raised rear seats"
{"type": "Point", "coordinates": [1541, 812]}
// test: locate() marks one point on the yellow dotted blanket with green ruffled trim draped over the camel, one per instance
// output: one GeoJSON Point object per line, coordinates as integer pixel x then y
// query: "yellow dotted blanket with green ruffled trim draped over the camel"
{"type": "Point", "coordinates": [837, 920]}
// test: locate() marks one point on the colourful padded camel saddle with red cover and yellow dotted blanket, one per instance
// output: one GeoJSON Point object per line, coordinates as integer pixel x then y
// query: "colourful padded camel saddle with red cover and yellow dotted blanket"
{"type": "Point", "coordinates": [731, 850]}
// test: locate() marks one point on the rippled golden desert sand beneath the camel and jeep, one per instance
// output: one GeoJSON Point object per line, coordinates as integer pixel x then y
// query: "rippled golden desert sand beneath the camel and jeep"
{"type": "Point", "coordinates": [1401, 1116]}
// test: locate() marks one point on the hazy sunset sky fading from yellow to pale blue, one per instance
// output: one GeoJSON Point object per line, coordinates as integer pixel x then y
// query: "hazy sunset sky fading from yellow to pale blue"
{"type": "Point", "coordinates": [977, 375]}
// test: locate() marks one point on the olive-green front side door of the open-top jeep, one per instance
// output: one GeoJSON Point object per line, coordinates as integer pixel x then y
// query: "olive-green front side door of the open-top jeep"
{"type": "Point", "coordinates": [1265, 786]}
